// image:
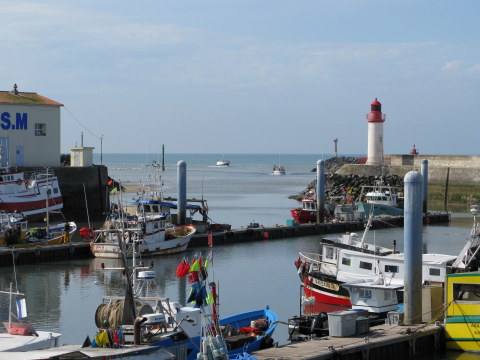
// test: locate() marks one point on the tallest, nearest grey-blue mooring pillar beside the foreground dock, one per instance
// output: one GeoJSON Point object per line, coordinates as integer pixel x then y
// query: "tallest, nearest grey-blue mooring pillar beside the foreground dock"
{"type": "Point", "coordinates": [413, 183]}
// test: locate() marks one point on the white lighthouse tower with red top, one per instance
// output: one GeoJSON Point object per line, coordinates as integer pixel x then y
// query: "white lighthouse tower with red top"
{"type": "Point", "coordinates": [375, 134]}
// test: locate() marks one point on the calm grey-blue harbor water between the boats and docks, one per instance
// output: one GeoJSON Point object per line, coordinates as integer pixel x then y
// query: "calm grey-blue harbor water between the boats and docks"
{"type": "Point", "coordinates": [63, 296]}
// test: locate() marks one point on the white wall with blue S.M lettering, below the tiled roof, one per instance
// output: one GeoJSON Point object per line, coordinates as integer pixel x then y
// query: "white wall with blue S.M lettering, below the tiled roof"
{"type": "Point", "coordinates": [17, 125]}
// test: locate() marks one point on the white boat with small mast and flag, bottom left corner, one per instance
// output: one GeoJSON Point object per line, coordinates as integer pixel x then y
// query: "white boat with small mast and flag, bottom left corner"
{"type": "Point", "coordinates": [21, 336]}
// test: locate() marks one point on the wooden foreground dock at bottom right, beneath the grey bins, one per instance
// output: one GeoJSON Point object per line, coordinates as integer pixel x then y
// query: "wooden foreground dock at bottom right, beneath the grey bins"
{"type": "Point", "coordinates": [382, 342]}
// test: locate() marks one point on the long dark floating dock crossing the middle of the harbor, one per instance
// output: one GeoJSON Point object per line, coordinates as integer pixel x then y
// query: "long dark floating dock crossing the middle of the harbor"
{"type": "Point", "coordinates": [81, 249]}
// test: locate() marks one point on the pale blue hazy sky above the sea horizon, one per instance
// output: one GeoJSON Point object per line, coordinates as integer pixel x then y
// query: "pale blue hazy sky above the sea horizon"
{"type": "Point", "coordinates": [250, 76]}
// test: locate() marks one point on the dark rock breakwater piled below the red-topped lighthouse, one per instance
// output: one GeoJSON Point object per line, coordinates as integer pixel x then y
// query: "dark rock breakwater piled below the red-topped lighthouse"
{"type": "Point", "coordinates": [339, 185]}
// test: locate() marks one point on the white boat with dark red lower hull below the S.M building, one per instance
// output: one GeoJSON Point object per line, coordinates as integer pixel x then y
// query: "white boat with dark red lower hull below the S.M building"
{"type": "Point", "coordinates": [29, 193]}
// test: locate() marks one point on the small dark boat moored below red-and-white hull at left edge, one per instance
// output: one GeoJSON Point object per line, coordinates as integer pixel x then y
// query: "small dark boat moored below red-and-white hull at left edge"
{"type": "Point", "coordinates": [14, 232]}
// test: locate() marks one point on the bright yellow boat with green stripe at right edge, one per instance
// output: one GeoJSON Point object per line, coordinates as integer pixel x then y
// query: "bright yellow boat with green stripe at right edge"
{"type": "Point", "coordinates": [462, 315]}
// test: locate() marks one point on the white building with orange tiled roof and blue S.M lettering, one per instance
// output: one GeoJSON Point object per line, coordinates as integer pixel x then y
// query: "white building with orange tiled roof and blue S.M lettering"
{"type": "Point", "coordinates": [29, 130]}
